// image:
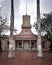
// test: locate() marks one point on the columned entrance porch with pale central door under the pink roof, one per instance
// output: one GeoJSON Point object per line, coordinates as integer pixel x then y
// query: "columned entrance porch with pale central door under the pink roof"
{"type": "Point", "coordinates": [26, 44]}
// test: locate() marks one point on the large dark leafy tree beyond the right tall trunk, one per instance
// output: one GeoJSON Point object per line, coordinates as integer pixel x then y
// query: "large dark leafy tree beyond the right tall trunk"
{"type": "Point", "coordinates": [46, 25]}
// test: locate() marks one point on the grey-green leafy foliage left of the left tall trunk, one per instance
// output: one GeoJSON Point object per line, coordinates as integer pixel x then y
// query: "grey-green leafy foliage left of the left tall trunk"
{"type": "Point", "coordinates": [3, 25]}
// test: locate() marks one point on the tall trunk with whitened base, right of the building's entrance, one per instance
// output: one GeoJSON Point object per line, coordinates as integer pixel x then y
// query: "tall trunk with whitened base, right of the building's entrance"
{"type": "Point", "coordinates": [39, 47]}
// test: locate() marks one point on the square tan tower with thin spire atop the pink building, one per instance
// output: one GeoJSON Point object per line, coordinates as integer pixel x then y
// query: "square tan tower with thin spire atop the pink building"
{"type": "Point", "coordinates": [26, 20]}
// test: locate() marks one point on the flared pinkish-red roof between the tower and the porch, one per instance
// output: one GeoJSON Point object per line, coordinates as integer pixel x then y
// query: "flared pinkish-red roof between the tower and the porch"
{"type": "Point", "coordinates": [25, 34]}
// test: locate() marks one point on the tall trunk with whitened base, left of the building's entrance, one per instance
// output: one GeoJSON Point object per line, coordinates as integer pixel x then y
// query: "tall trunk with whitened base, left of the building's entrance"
{"type": "Point", "coordinates": [11, 40]}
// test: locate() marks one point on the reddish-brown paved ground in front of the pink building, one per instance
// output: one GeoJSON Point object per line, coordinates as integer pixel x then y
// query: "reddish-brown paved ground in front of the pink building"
{"type": "Point", "coordinates": [25, 58]}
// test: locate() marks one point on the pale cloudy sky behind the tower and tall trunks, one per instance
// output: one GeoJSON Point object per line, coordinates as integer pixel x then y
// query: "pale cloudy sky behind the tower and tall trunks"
{"type": "Point", "coordinates": [20, 10]}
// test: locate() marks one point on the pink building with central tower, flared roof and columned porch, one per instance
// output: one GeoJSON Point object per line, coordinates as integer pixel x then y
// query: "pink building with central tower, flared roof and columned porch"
{"type": "Point", "coordinates": [25, 40]}
